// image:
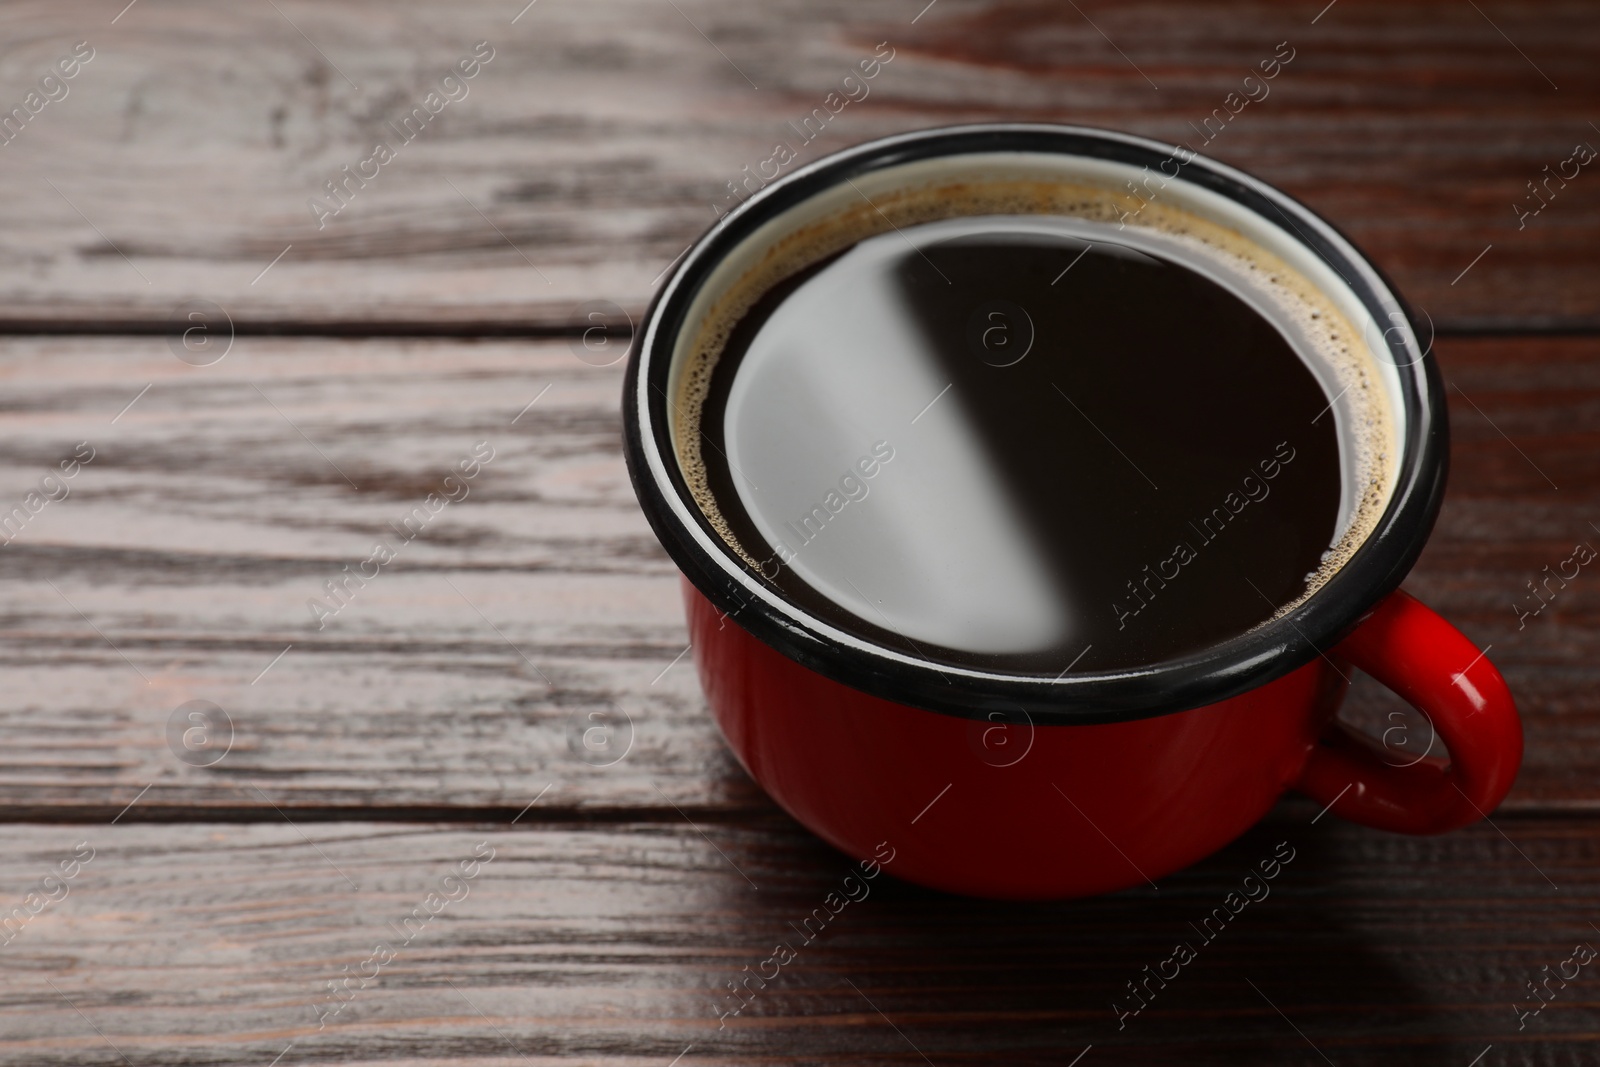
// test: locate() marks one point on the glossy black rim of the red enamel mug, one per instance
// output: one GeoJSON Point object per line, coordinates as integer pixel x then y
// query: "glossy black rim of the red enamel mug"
{"type": "Point", "coordinates": [1220, 673]}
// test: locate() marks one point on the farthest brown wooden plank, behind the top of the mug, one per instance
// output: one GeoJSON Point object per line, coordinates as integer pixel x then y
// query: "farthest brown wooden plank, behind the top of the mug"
{"type": "Point", "coordinates": [601, 138]}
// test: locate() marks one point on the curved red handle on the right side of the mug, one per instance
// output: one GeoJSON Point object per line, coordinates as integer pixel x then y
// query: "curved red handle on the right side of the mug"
{"type": "Point", "coordinates": [1444, 676]}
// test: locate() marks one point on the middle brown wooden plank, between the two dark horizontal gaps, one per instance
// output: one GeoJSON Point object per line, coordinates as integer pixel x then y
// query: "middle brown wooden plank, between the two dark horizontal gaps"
{"type": "Point", "coordinates": [206, 522]}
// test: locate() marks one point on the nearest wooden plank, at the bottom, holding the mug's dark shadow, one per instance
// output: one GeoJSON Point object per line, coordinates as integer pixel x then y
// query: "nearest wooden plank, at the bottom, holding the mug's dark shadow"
{"type": "Point", "coordinates": [215, 945]}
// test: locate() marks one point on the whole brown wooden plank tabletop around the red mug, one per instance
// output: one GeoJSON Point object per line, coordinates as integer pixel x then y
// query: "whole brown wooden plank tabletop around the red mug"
{"type": "Point", "coordinates": [196, 897]}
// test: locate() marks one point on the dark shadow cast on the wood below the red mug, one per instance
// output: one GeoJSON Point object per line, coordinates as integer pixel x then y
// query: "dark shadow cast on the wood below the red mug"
{"type": "Point", "coordinates": [1300, 975]}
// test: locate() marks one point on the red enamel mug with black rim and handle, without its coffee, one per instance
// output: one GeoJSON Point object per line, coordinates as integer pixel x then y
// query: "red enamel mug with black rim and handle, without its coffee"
{"type": "Point", "coordinates": [1060, 786]}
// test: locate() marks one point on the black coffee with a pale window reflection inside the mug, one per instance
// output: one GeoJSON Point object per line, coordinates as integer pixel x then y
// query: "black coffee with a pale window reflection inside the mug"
{"type": "Point", "coordinates": [994, 446]}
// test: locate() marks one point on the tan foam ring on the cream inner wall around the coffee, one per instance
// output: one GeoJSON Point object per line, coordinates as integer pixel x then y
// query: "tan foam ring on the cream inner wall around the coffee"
{"type": "Point", "coordinates": [1364, 390]}
